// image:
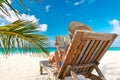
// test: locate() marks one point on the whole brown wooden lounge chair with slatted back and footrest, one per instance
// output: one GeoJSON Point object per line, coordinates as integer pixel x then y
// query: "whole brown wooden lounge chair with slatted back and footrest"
{"type": "Point", "coordinates": [82, 57]}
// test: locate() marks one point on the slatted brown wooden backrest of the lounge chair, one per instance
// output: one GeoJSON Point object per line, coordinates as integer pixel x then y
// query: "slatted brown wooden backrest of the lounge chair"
{"type": "Point", "coordinates": [86, 47]}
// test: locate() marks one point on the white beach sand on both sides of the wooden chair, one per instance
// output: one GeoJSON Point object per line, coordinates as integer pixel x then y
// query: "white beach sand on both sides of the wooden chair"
{"type": "Point", "coordinates": [26, 67]}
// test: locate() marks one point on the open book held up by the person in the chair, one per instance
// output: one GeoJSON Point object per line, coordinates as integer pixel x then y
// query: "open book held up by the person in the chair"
{"type": "Point", "coordinates": [63, 40]}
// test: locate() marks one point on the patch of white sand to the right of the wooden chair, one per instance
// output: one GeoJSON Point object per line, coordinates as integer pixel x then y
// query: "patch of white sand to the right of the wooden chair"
{"type": "Point", "coordinates": [110, 65]}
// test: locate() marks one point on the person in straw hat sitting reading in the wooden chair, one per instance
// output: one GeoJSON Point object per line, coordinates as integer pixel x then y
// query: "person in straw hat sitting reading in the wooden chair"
{"type": "Point", "coordinates": [58, 56]}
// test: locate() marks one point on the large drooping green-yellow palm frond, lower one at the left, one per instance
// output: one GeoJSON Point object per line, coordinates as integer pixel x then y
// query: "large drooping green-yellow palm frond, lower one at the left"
{"type": "Point", "coordinates": [21, 34]}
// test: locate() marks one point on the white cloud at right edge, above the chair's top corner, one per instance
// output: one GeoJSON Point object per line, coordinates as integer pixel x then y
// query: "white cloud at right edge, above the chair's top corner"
{"type": "Point", "coordinates": [116, 26]}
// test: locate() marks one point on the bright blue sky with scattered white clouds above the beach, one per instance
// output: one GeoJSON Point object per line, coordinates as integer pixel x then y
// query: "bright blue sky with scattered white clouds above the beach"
{"type": "Point", "coordinates": [54, 16]}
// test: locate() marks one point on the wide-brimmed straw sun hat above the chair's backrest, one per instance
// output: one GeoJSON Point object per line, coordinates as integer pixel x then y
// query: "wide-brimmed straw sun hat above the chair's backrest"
{"type": "Point", "coordinates": [73, 26]}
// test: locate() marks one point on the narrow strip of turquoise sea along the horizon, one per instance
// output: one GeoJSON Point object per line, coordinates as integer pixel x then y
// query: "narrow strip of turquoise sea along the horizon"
{"type": "Point", "coordinates": [50, 49]}
